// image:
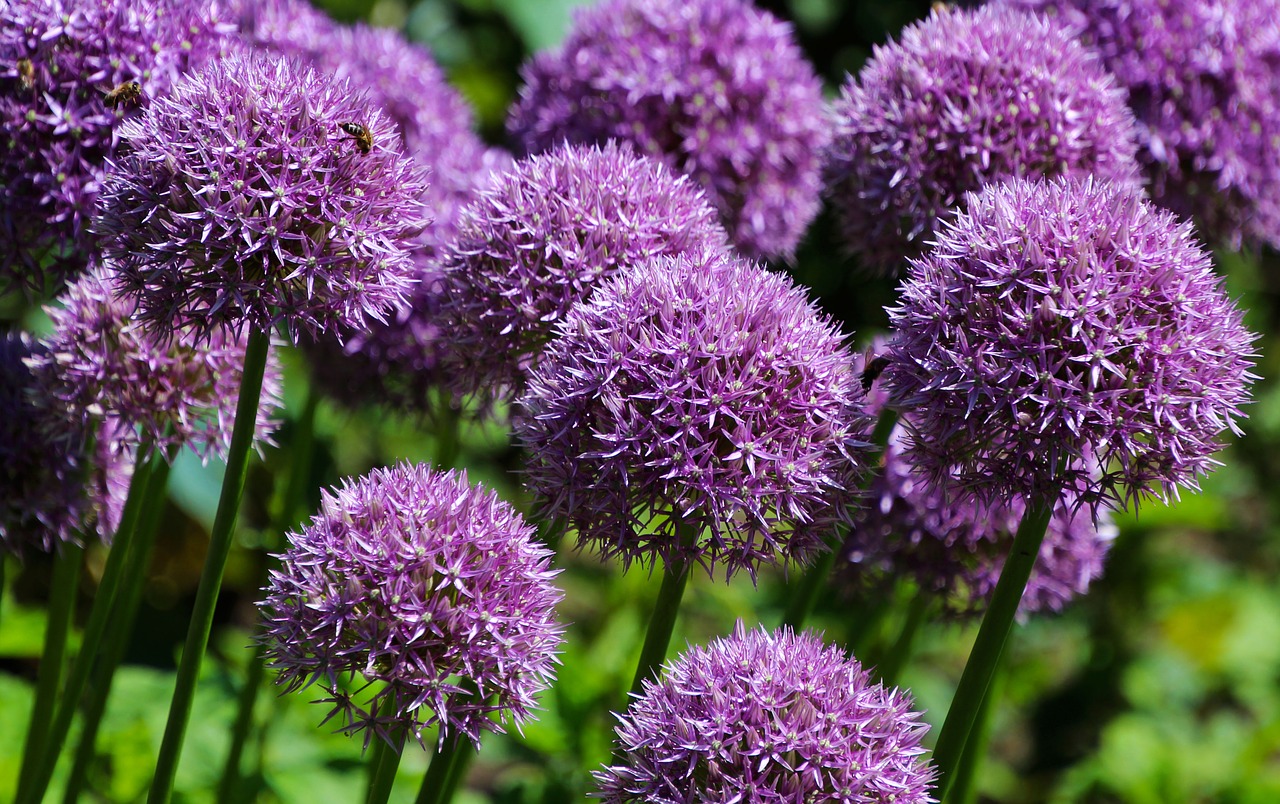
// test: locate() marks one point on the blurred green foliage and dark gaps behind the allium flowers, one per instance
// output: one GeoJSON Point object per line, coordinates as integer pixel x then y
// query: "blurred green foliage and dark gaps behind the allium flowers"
{"type": "Point", "coordinates": [1162, 686]}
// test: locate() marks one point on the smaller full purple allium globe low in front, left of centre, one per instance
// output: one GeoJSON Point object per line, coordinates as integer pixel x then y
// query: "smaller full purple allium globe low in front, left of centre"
{"type": "Point", "coordinates": [424, 583]}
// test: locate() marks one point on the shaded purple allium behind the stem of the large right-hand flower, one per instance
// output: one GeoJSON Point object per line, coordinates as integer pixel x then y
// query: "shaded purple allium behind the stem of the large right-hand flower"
{"type": "Point", "coordinates": [954, 547]}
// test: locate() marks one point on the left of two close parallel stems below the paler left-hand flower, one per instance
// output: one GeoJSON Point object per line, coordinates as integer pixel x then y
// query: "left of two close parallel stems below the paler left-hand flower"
{"type": "Point", "coordinates": [99, 616]}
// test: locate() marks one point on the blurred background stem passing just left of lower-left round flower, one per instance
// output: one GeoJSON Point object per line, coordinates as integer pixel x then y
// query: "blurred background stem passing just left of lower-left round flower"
{"type": "Point", "coordinates": [289, 514]}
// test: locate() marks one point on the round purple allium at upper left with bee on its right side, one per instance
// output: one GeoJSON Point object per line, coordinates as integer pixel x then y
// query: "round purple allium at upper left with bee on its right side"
{"type": "Point", "coordinates": [252, 195]}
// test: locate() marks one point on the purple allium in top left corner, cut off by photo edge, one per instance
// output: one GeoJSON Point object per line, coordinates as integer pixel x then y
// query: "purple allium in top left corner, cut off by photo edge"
{"type": "Point", "coordinates": [61, 62]}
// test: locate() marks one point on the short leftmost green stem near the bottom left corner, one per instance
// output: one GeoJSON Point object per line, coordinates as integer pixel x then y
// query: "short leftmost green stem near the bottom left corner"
{"type": "Point", "coordinates": [62, 605]}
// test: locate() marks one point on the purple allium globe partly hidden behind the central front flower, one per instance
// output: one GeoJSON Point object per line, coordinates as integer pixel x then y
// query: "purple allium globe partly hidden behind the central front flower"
{"type": "Point", "coordinates": [543, 237]}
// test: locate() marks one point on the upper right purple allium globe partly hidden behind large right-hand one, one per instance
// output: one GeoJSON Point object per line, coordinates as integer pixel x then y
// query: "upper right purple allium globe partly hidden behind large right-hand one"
{"type": "Point", "coordinates": [964, 99]}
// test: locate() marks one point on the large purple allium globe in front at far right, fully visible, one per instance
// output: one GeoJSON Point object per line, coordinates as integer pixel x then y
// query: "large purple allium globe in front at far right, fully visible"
{"type": "Point", "coordinates": [1067, 336]}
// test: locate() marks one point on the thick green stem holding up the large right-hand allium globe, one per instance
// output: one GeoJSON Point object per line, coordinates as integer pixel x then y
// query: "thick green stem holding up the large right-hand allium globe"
{"type": "Point", "coordinates": [990, 645]}
